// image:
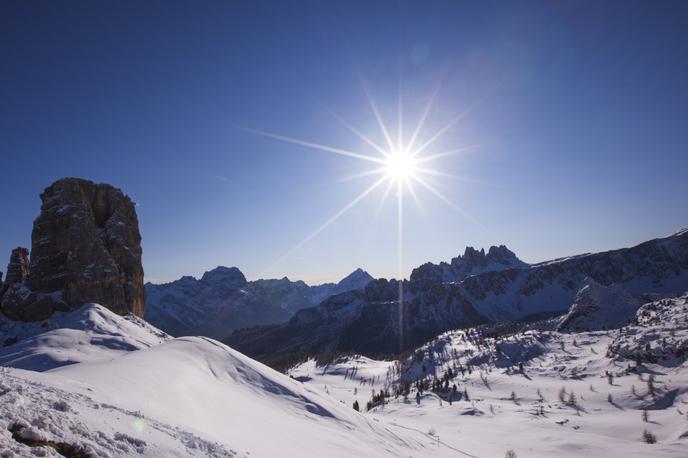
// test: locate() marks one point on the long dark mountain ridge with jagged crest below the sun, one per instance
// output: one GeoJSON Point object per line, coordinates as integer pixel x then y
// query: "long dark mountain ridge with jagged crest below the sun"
{"type": "Point", "coordinates": [440, 298]}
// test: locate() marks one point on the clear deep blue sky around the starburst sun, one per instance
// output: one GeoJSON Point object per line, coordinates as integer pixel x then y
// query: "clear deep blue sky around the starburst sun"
{"type": "Point", "coordinates": [580, 109]}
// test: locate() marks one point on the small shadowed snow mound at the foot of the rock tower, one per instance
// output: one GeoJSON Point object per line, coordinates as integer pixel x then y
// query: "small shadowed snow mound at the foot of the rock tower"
{"type": "Point", "coordinates": [89, 333]}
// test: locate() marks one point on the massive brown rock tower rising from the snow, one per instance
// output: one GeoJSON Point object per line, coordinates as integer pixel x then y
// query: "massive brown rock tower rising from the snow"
{"type": "Point", "coordinates": [86, 247]}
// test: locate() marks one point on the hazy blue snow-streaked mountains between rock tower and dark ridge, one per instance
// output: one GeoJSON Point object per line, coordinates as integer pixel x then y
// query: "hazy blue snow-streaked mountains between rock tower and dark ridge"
{"type": "Point", "coordinates": [223, 300]}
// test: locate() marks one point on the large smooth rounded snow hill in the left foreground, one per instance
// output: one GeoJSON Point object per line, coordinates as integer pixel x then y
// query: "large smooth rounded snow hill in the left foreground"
{"type": "Point", "coordinates": [189, 396]}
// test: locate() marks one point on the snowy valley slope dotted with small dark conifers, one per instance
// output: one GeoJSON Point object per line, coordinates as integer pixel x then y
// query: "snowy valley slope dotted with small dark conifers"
{"type": "Point", "coordinates": [538, 393]}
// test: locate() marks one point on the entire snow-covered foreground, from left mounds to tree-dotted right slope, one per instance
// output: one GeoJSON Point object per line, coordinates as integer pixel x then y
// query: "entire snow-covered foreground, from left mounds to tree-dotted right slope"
{"type": "Point", "coordinates": [111, 386]}
